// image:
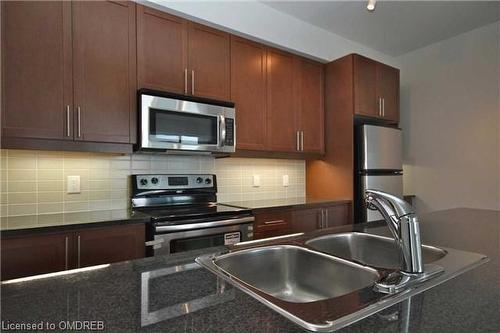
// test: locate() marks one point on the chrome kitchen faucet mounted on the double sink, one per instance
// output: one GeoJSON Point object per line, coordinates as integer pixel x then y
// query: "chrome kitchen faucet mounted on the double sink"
{"type": "Point", "coordinates": [404, 226]}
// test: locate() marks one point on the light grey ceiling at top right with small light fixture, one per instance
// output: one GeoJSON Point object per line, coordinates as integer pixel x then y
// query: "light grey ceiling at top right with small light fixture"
{"type": "Point", "coordinates": [395, 27]}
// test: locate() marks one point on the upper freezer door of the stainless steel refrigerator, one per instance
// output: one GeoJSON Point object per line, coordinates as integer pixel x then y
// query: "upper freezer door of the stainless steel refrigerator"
{"type": "Point", "coordinates": [381, 148]}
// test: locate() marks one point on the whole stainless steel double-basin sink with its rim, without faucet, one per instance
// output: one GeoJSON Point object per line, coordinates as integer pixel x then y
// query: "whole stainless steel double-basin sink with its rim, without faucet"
{"type": "Point", "coordinates": [327, 282]}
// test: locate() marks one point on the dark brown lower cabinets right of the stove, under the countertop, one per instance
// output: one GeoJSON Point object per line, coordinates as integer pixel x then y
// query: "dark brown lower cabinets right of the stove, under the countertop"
{"type": "Point", "coordinates": [277, 222]}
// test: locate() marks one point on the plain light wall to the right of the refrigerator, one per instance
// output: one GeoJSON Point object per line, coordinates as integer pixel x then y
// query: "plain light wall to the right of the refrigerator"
{"type": "Point", "coordinates": [451, 121]}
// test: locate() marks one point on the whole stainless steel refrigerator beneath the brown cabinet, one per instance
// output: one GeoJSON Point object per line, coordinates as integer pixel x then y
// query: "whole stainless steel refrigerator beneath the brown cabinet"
{"type": "Point", "coordinates": [378, 165]}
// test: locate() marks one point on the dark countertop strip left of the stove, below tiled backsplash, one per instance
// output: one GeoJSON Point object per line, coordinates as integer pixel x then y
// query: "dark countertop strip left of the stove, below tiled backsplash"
{"type": "Point", "coordinates": [66, 221]}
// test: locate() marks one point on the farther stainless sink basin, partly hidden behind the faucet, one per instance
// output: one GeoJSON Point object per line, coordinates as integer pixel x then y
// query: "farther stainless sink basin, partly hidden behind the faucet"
{"type": "Point", "coordinates": [369, 249]}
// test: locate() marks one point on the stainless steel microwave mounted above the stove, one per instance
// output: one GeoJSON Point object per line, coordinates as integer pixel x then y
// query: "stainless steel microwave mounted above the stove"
{"type": "Point", "coordinates": [176, 122]}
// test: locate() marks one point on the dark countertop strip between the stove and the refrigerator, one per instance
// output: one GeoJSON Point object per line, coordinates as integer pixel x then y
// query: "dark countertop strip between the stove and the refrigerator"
{"type": "Point", "coordinates": [288, 202]}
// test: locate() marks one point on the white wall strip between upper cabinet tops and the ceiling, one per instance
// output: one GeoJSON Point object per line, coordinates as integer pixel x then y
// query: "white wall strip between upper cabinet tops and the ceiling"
{"type": "Point", "coordinates": [259, 22]}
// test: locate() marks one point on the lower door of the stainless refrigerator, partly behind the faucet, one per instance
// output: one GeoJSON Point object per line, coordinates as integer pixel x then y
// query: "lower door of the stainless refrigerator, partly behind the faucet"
{"type": "Point", "coordinates": [388, 183]}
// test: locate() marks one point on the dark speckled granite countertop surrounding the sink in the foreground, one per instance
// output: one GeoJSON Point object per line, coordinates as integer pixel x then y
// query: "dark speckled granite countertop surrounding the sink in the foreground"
{"type": "Point", "coordinates": [171, 294]}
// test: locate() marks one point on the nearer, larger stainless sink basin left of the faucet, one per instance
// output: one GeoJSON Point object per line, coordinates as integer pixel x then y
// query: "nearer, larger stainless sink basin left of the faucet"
{"type": "Point", "coordinates": [295, 274]}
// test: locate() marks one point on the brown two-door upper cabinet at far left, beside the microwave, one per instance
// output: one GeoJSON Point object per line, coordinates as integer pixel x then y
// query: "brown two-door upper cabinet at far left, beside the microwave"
{"type": "Point", "coordinates": [69, 73]}
